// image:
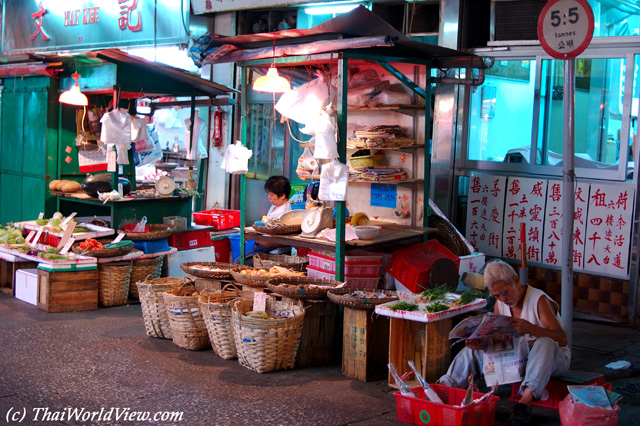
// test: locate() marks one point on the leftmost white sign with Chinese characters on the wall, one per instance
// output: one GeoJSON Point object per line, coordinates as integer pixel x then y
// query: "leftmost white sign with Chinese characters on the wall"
{"type": "Point", "coordinates": [485, 213]}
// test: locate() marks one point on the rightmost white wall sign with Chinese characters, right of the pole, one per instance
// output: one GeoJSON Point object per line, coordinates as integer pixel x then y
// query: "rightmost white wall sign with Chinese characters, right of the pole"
{"type": "Point", "coordinates": [608, 234]}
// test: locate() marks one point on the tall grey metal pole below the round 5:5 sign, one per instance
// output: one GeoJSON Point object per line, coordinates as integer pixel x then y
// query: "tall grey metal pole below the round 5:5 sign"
{"type": "Point", "coordinates": [568, 198]}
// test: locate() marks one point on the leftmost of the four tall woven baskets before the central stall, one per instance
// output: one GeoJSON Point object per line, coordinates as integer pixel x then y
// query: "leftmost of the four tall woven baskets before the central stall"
{"type": "Point", "coordinates": [154, 312]}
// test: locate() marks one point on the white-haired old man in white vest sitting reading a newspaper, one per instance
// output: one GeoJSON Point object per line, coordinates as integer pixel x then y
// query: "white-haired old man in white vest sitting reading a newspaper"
{"type": "Point", "coordinates": [534, 315]}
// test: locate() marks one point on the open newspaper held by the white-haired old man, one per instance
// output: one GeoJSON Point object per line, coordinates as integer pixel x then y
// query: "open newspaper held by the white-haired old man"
{"type": "Point", "coordinates": [504, 351]}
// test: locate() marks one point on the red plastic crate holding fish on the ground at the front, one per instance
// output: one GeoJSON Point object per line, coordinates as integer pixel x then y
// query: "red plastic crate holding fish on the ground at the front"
{"type": "Point", "coordinates": [421, 411]}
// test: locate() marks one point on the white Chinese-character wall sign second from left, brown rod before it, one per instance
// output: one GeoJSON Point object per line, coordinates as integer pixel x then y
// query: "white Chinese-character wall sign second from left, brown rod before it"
{"type": "Point", "coordinates": [525, 202]}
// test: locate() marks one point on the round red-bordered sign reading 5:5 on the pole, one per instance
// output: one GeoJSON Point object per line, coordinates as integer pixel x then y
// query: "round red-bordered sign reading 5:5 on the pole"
{"type": "Point", "coordinates": [565, 28]}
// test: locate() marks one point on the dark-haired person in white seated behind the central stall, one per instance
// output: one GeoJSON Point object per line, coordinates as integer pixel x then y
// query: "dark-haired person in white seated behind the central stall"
{"type": "Point", "coordinates": [278, 189]}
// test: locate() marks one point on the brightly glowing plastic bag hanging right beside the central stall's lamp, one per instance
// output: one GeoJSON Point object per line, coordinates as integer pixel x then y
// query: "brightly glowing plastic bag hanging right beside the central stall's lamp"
{"type": "Point", "coordinates": [303, 103]}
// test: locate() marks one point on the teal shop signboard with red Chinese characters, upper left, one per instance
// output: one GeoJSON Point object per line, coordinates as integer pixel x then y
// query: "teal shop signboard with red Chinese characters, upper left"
{"type": "Point", "coordinates": [53, 25]}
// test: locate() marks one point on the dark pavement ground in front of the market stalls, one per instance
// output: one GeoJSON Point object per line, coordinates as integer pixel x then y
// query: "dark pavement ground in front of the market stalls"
{"type": "Point", "coordinates": [103, 360]}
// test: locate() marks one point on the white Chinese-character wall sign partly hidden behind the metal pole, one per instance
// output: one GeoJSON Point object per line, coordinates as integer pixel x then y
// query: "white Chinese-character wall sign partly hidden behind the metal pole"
{"type": "Point", "coordinates": [552, 244]}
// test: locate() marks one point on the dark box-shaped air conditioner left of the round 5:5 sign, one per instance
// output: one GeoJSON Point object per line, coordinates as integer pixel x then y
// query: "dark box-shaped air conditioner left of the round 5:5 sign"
{"type": "Point", "coordinates": [515, 20]}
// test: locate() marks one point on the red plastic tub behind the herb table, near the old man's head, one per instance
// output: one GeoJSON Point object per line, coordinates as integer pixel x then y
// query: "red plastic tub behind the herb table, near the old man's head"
{"type": "Point", "coordinates": [412, 265]}
